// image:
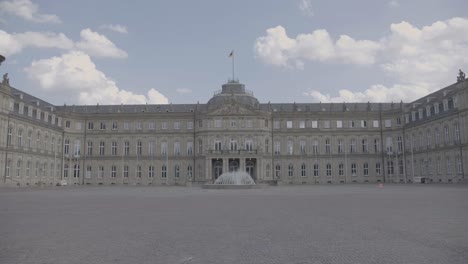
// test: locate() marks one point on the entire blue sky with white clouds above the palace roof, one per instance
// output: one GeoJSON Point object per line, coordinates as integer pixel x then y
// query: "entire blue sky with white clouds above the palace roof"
{"type": "Point", "coordinates": [176, 51]}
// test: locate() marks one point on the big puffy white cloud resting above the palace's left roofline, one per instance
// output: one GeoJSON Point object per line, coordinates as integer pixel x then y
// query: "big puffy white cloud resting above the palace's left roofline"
{"type": "Point", "coordinates": [75, 75]}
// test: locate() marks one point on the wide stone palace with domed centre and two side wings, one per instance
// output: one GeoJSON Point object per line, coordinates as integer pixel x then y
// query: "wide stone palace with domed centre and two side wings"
{"type": "Point", "coordinates": [184, 144]}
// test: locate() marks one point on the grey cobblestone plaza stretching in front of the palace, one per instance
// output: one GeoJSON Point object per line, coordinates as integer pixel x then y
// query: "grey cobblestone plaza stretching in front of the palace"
{"type": "Point", "coordinates": [351, 223]}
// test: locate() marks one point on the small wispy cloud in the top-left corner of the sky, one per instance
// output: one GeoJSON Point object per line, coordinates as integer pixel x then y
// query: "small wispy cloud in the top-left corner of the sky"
{"type": "Point", "coordinates": [28, 11]}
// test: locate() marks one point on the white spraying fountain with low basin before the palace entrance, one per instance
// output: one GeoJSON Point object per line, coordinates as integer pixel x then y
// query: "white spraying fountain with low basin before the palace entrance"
{"type": "Point", "coordinates": [233, 180]}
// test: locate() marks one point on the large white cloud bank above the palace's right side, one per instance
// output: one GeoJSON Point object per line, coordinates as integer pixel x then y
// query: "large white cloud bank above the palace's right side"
{"type": "Point", "coordinates": [420, 60]}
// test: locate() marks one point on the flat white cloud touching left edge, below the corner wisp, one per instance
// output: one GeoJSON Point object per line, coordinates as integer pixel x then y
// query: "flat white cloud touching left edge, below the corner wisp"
{"type": "Point", "coordinates": [14, 43]}
